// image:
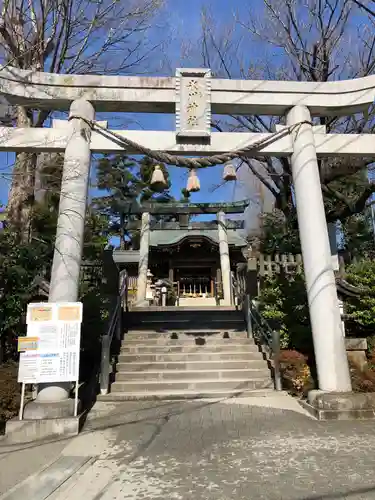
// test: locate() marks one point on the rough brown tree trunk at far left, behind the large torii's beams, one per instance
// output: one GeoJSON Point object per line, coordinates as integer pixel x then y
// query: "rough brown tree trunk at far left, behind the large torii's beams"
{"type": "Point", "coordinates": [21, 195]}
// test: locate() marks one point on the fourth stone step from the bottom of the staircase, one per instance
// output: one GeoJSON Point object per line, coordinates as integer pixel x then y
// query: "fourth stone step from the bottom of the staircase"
{"type": "Point", "coordinates": [243, 364]}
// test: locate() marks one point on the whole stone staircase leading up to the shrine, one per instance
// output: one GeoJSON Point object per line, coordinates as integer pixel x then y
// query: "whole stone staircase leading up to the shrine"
{"type": "Point", "coordinates": [180, 353]}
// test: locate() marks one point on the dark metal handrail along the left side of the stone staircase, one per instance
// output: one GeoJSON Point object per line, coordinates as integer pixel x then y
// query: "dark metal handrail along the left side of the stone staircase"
{"type": "Point", "coordinates": [114, 325]}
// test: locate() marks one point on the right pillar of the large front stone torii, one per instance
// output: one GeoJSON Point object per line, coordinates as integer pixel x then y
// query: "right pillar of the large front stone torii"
{"type": "Point", "coordinates": [329, 343]}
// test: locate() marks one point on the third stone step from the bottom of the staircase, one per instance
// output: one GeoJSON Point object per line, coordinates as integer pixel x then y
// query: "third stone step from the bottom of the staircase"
{"type": "Point", "coordinates": [193, 375]}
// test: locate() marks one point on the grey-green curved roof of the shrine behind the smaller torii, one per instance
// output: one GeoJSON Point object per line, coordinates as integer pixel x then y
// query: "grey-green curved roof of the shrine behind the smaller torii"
{"type": "Point", "coordinates": [172, 237]}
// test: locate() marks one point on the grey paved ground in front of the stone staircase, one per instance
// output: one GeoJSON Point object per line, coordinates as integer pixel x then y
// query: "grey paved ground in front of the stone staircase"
{"type": "Point", "coordinates": [259, 448]}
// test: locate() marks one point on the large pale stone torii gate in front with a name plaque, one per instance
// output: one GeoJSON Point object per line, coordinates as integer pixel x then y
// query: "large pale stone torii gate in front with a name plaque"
{"type": "Point", "coordinates": [193, 95]}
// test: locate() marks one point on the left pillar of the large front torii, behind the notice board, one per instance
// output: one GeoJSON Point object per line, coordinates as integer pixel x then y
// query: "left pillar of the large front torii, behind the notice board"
{"type": "Point", "coordinates": [53, 399]}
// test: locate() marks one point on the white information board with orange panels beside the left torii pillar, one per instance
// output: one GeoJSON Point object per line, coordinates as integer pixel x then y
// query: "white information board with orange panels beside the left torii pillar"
{"type": "Point", "coordinates": [50, 350]}
